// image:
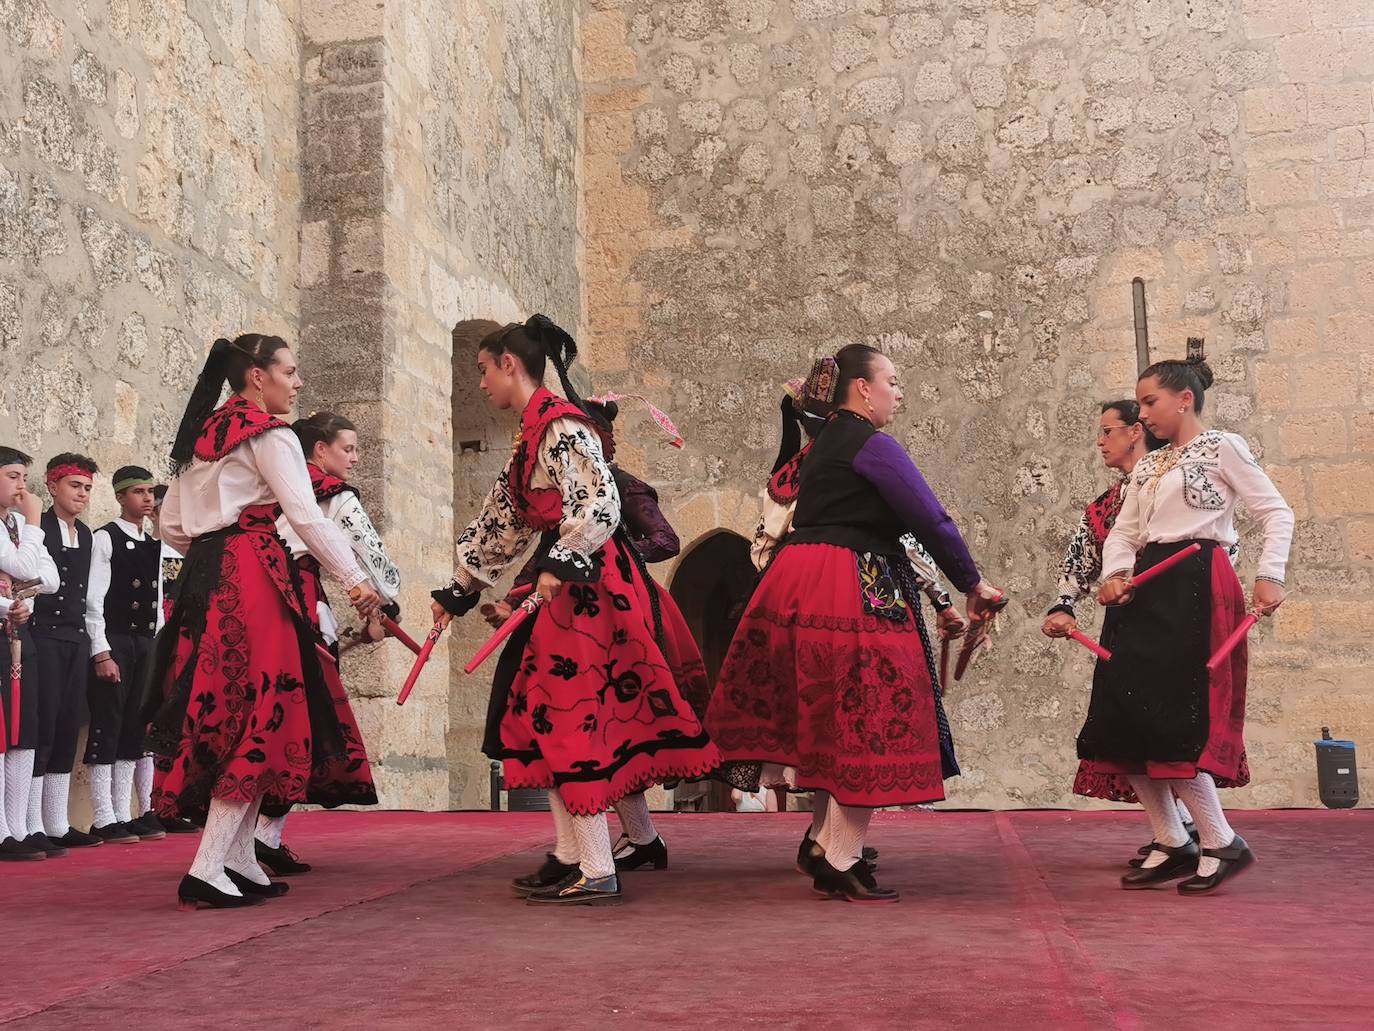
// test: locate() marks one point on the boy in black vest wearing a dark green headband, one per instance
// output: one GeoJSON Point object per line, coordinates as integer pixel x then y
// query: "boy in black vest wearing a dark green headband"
{"type": "Point", "coordinates": [122, 619]}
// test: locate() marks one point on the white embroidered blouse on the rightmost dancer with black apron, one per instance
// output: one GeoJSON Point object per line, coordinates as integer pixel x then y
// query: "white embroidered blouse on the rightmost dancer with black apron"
{"type": "Point", "coordinates": [1192, 496]}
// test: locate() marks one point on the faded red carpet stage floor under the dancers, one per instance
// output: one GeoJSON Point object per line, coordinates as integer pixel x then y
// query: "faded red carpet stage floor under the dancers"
{"type": "Point", "coordinates": [1011, 919]}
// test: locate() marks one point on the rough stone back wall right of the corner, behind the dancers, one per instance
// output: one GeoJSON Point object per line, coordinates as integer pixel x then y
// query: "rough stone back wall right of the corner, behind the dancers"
{"type": "Point", "coordinates": [973, 186]}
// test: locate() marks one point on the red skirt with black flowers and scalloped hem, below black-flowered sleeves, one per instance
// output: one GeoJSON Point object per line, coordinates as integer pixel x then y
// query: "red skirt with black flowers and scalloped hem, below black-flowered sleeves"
{"type": "Point", "coordinates": [586, 700]}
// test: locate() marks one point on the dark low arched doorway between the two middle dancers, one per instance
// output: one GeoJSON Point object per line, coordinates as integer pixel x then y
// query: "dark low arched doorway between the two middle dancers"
{"type": "Point", "coordinates": [712, 586]}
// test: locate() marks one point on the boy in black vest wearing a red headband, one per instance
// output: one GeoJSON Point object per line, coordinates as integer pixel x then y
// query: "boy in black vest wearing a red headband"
{"type": "Point", "coordinates": [64, 650]}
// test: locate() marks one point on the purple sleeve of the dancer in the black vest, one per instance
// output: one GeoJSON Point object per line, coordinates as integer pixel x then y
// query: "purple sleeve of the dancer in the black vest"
{"type": "Point", "coordinates": [887, 465]}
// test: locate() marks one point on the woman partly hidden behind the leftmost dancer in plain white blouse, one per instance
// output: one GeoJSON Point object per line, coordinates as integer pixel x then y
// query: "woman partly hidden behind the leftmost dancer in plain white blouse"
{"type": "Point", "coordinates": [330, 445]}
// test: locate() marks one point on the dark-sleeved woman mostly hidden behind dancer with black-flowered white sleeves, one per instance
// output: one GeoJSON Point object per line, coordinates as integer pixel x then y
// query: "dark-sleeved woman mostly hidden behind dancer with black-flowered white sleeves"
{"type": "Point", "coordinates": [651, 534]}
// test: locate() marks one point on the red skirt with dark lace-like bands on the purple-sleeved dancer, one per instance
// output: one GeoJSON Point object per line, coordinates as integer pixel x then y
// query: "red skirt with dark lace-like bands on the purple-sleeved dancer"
{"type": "Point", "coordinates": [817, 683]}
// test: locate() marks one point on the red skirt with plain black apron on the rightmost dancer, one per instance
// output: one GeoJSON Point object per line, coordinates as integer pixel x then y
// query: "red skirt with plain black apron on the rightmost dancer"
{"type": "Point", "coordinates": [1156, 710]}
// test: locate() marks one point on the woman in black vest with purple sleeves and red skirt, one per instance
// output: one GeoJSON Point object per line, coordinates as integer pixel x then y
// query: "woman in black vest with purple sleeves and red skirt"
{"type": "Point", "coordinates": [828, 672]}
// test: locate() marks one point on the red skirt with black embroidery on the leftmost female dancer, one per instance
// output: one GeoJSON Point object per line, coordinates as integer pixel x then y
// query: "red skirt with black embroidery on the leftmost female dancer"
{"type": "Point", "coordinates": [241, 709]}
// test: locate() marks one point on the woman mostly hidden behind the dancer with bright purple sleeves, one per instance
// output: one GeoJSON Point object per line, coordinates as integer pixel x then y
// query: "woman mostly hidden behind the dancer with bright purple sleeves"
{"type": "Point", "coordinates": [774, 526]}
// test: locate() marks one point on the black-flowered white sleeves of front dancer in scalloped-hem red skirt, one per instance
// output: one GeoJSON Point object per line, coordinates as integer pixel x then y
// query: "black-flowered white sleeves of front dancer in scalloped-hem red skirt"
{"type": "Point", "coordinates": [570, 461]}
